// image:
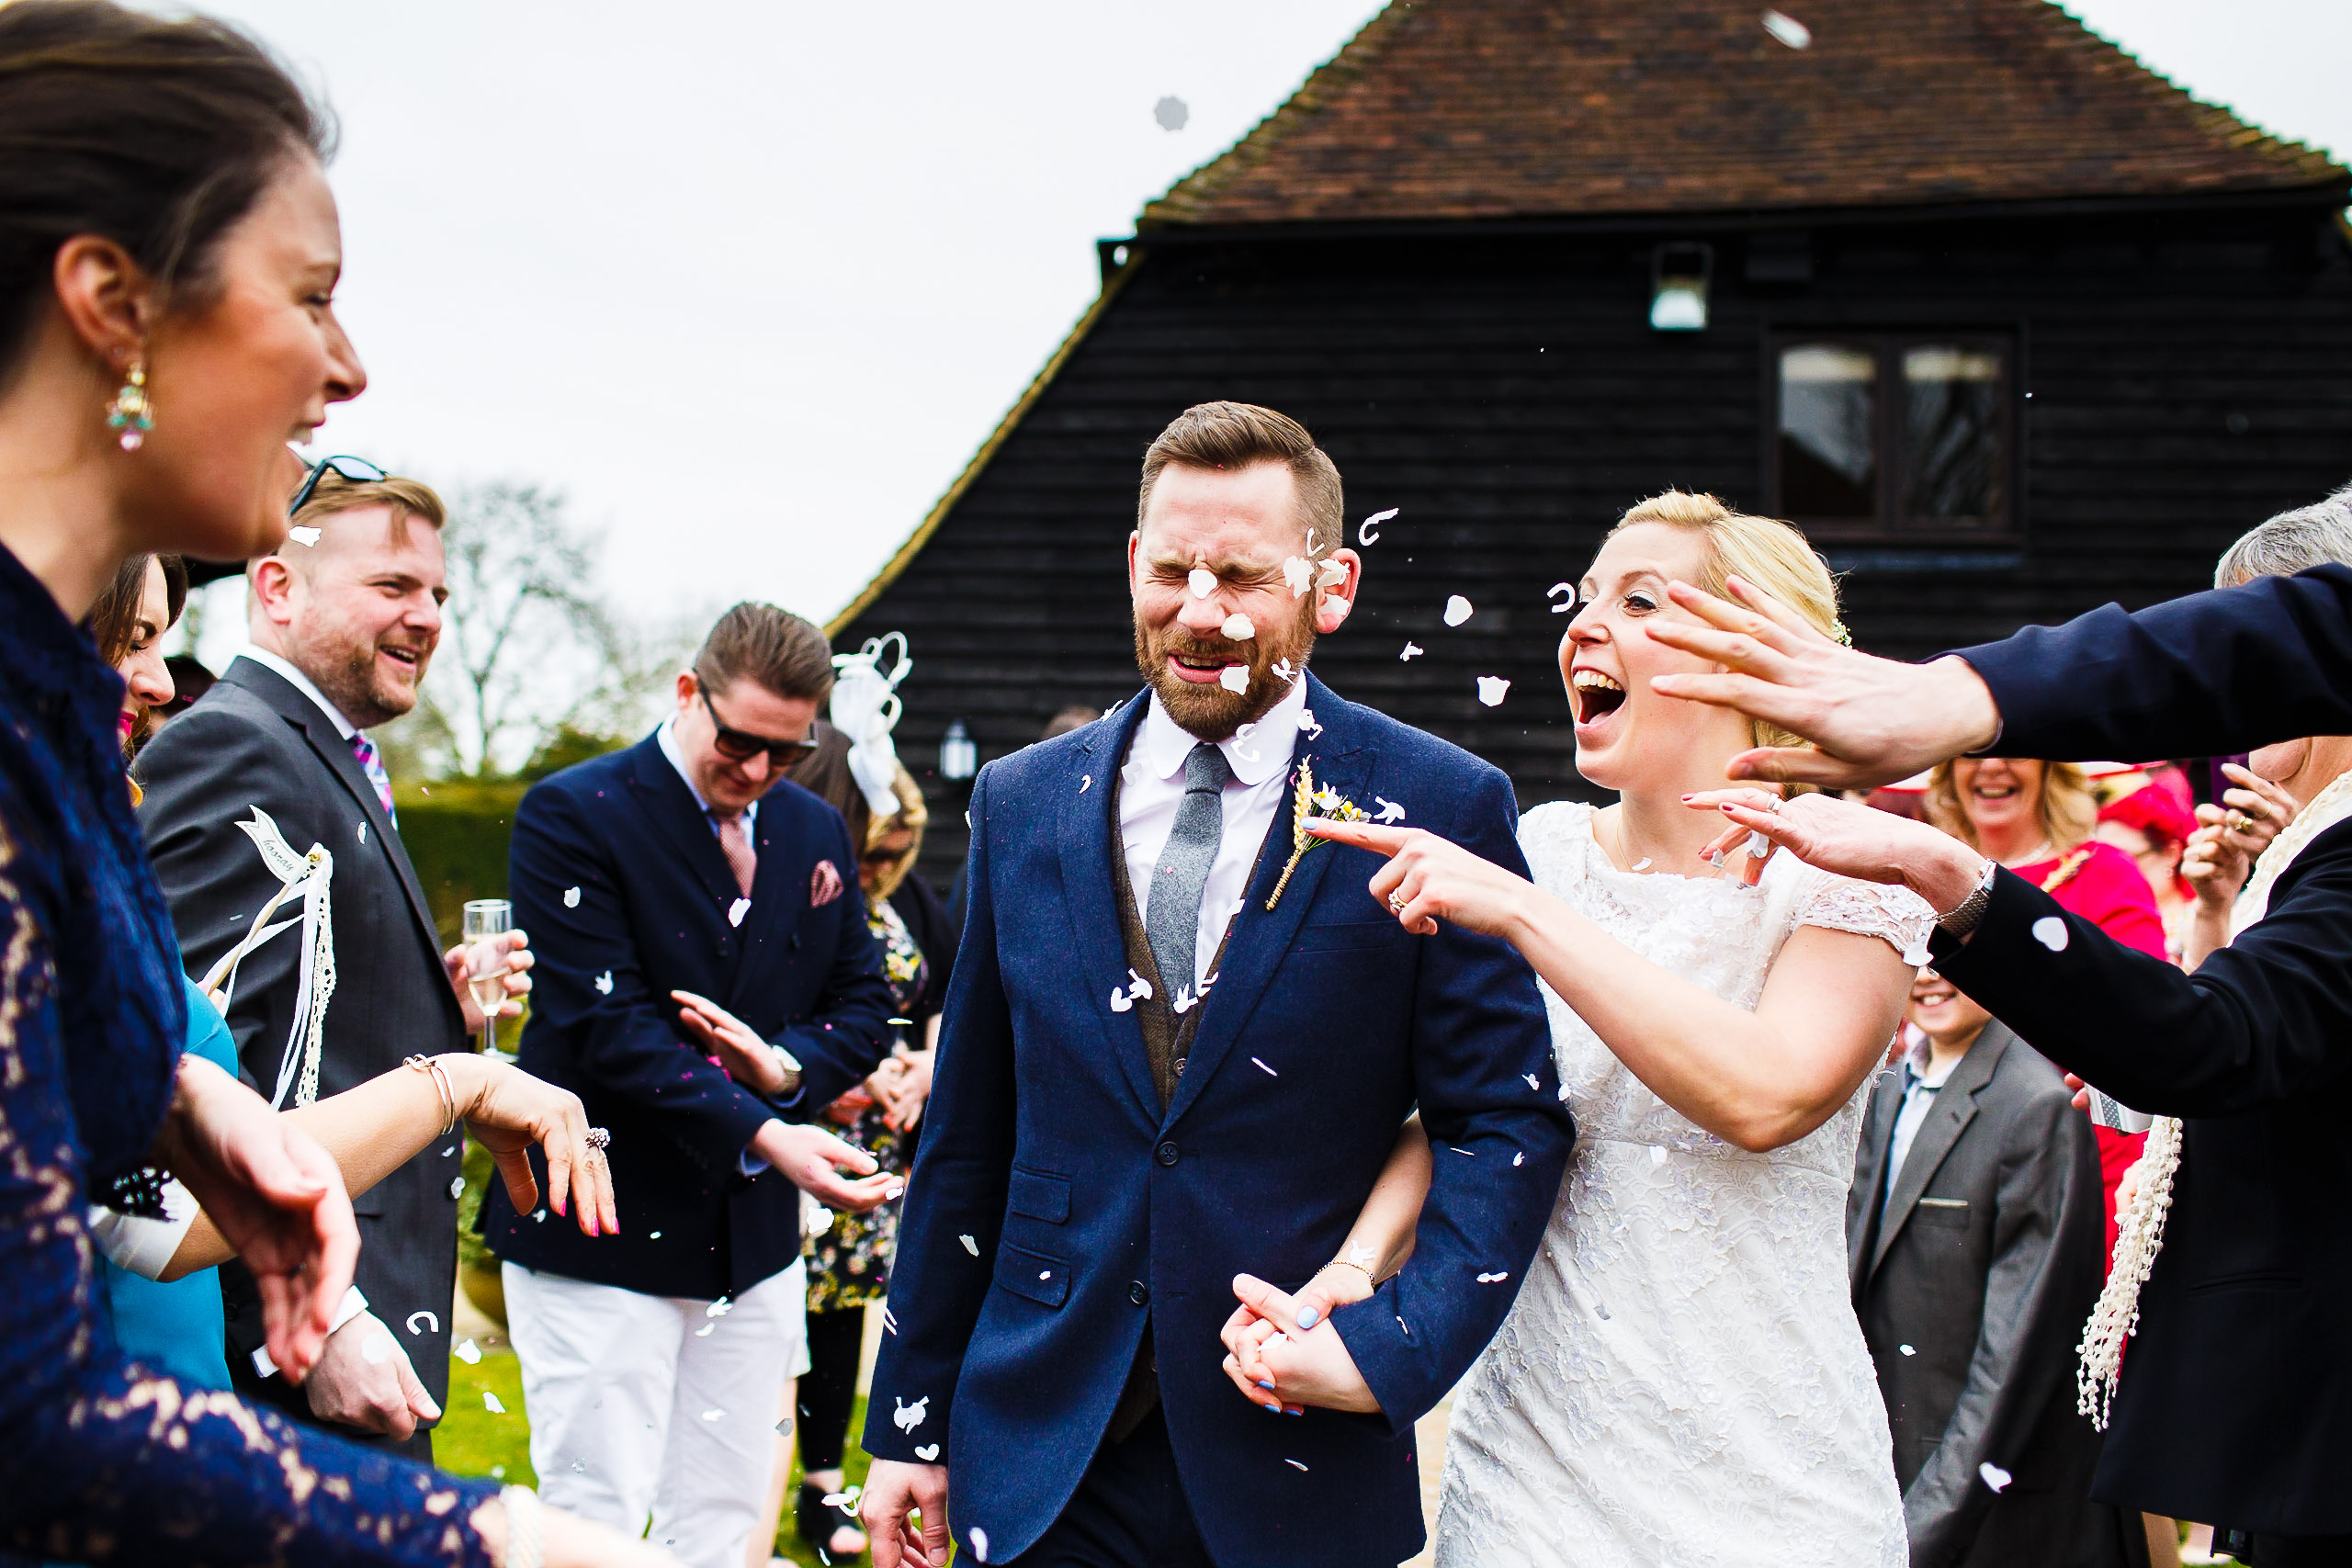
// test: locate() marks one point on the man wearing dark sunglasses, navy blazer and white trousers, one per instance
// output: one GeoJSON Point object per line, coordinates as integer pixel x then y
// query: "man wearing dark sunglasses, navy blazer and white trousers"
{"type": "Point", "coordinates": [707, 984]}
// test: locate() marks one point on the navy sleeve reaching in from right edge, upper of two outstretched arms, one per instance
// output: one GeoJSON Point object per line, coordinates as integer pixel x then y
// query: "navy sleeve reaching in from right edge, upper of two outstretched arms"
{"type": "Point", "coordinates": [2200, 676]}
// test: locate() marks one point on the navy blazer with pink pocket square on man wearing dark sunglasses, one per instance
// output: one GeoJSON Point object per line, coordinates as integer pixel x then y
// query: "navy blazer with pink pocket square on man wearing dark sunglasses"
{"type": "Point", "coordinates": [627, 894]}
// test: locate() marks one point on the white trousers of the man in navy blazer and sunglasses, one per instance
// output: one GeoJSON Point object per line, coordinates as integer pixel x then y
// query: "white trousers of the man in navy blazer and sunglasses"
{"type": "Point", "coordinates": [648, 1405]}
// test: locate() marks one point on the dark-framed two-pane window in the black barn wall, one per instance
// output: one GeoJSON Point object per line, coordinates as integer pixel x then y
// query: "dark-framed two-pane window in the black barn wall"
{"type": "Point", "coordinates": [1895, 436]}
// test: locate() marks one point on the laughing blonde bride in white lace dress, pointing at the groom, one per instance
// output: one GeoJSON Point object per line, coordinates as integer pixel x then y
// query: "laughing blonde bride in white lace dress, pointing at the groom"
{"type": "Point", "coordinates": [1681, 1379]}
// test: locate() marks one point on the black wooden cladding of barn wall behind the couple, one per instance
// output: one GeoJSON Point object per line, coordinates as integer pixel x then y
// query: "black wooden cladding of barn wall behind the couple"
{"type": "Point", "coordinates": [2189, 375]}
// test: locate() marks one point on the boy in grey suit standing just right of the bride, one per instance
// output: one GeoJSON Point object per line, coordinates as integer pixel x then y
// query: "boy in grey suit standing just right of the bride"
{"type": "Point", "coordinates": [1975, 1233]}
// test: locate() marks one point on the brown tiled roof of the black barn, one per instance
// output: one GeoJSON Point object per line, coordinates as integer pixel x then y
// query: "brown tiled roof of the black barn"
{"type": "Point", "coordinates": [1492, 109]}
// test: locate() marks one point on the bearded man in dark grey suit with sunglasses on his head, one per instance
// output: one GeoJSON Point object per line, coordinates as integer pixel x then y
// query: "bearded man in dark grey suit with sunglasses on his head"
{"type": "Point", "coordinates": [342, 626]}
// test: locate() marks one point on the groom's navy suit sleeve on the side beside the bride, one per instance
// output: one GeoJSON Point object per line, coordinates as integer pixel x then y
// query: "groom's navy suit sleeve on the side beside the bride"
{"type": "Point", "coordinates": [1499, 1146]}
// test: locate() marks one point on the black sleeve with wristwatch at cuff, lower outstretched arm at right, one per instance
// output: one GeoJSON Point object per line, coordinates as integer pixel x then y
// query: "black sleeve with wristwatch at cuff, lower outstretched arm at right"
{"type": "Point", "coordinates": [2259, 1024]}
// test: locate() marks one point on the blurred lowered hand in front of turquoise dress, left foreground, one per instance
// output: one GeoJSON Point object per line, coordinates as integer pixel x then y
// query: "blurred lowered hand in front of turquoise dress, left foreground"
{"type": "Point", "coordinates": [274, 1195]}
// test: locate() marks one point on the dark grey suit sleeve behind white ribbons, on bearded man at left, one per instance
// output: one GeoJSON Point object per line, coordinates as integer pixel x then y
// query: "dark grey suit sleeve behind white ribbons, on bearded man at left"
{"type": "Point", "coordinates": [203, 775]}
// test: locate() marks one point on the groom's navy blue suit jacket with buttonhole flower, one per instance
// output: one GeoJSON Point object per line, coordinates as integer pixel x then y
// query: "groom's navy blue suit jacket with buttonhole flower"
{"type": "Point", "coordinates": [1055, 1207]}
